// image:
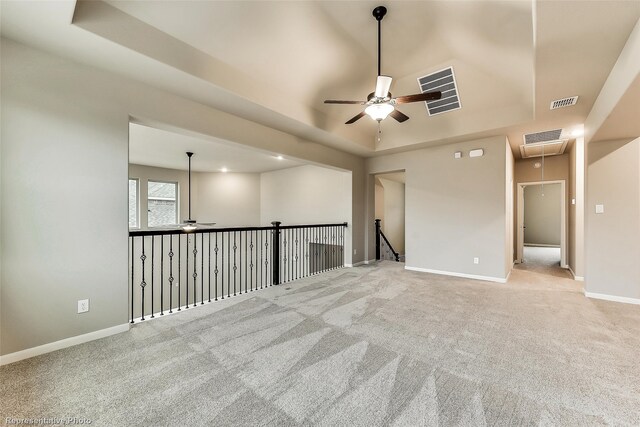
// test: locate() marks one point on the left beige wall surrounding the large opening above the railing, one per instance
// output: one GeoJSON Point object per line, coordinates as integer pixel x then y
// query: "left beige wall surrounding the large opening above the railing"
{"type": "Point", "coordinates": [64, 188]}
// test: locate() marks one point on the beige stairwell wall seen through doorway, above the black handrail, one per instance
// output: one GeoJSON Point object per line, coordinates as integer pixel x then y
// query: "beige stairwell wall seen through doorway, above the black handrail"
{"type": "Point", "coordinates": [393, 224]}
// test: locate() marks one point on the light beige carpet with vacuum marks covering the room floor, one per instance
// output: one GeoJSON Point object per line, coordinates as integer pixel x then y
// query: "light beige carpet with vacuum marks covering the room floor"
{"type": "Point", "coordinates": [366, 346]}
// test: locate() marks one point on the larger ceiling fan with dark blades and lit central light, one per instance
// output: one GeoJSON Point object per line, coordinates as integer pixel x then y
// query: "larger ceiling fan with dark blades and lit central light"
{"type": "Point", "coordinates": [380, 104]}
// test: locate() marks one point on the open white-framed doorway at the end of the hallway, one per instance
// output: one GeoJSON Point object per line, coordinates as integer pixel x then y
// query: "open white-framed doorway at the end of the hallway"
{"type": "Point", "coordinates": [541, 222]}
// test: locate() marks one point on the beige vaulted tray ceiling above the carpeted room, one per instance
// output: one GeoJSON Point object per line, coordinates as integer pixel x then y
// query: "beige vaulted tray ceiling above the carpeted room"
{"type": "Point", "coordinates": [274, 62]}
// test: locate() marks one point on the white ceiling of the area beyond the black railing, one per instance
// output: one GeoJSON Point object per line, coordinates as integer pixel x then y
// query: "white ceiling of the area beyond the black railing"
{"type": "Point", "coordinates": [156, 147]}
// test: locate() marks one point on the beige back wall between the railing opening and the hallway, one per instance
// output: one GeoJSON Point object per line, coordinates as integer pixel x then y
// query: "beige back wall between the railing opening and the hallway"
{"type": "Point", "coordinates": [455, 208]}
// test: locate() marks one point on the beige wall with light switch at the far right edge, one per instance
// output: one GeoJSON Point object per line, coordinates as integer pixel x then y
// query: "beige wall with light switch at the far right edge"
{"type": "Point", "coordinates": [613, 251]}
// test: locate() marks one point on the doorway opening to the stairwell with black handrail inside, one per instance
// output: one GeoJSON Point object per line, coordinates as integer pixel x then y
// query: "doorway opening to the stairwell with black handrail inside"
{"type": "Point", "coordinates": [390, 210]}
